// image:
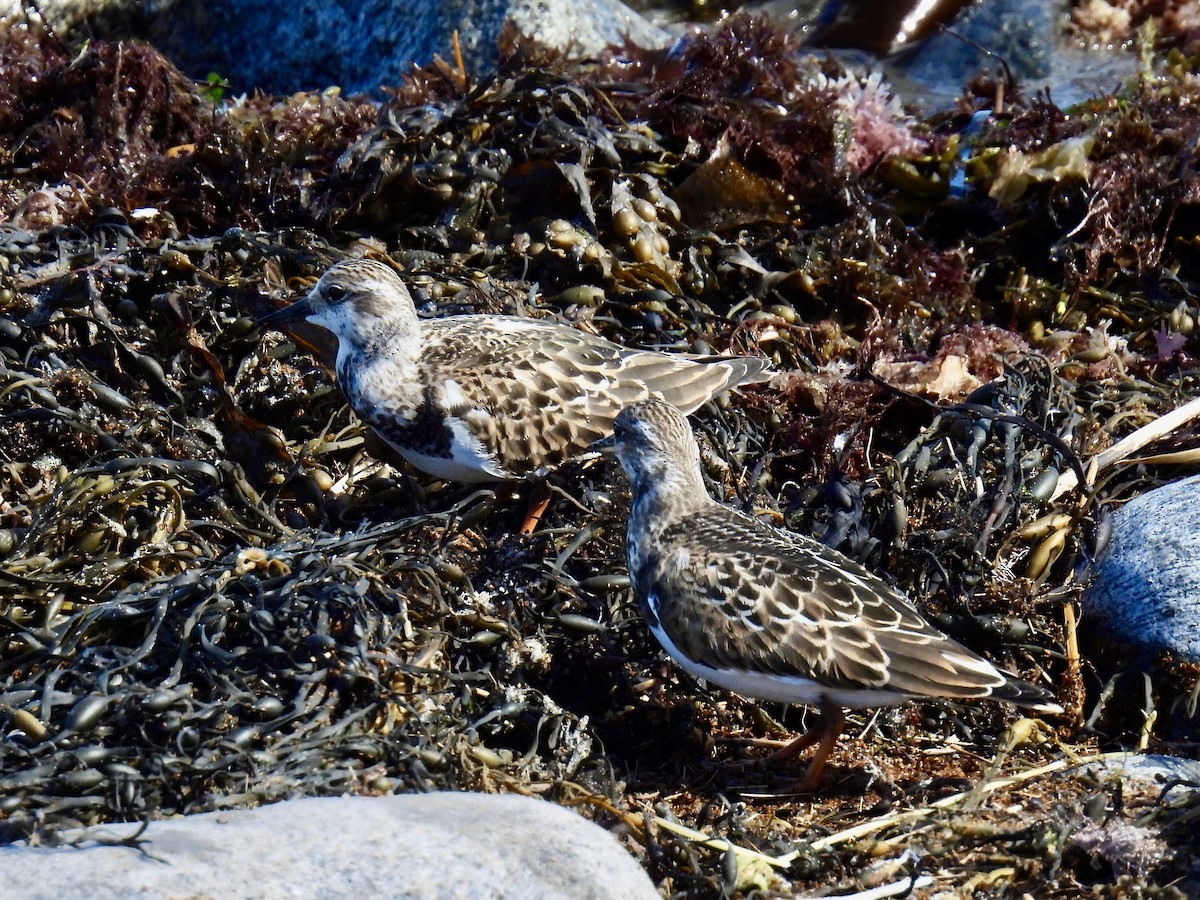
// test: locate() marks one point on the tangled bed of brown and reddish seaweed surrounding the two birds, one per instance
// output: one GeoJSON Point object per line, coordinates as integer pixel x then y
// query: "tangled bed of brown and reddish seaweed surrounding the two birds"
{"type": "Point", "coordinates": [215, 591]}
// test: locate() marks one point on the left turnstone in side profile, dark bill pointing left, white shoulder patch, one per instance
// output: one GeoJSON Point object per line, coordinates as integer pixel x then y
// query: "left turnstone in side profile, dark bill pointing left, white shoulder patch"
{"type": "Point", "coordinates": [489, 398]}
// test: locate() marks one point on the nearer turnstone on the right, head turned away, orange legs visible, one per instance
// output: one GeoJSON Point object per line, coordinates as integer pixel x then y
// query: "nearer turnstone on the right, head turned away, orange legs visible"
{"type": "Point", "coordinates": [773, 615]}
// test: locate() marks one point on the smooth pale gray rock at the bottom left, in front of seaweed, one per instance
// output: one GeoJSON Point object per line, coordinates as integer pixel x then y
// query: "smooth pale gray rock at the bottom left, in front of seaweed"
{"type": "Point", "coordinates": [439, 847]}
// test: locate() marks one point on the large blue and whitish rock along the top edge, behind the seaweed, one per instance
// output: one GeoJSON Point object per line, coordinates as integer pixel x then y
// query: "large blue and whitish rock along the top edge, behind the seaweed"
{"type": "Point", "coordinates": [313, 45]}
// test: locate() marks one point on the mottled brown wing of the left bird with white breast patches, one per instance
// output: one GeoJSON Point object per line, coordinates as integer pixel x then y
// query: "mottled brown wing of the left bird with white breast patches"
{"type": "Point", "coordinates": [538, 393]}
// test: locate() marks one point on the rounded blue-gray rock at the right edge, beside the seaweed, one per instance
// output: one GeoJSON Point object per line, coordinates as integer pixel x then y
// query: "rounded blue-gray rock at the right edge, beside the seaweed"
{"type": "Point", "coordinates": [1147, 587]}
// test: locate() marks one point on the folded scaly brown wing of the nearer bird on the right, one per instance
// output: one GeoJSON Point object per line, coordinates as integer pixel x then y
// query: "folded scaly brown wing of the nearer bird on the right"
{"type": "Point", "coordinates": [735, 593]}
